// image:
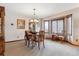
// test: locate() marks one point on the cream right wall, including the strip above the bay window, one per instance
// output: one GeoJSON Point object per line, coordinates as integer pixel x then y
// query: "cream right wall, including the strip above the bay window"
{"type": "Point", "coordinates": [75, 26]}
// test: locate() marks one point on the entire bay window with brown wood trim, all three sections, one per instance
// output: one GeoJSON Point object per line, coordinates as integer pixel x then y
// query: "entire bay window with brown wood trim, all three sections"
{"type": "Point", "coordinates": [59, 26]}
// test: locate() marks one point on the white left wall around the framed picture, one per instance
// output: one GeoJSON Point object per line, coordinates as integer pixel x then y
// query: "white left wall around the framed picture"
{"type": "Point", "coordinates": [11, 32]}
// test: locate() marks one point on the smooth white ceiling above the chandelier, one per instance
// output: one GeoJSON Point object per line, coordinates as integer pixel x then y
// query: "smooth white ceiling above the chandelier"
{"type": "Point", "coordinates": [42, 9]}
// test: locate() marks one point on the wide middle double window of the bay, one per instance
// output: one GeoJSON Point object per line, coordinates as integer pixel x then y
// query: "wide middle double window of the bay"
{"type": "Point", "coordinates": [57, 26]}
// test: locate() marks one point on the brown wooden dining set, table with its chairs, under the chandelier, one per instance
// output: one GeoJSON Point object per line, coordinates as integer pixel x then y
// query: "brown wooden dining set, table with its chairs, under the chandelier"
{"type": "Point", "coordinates": [35, 38]}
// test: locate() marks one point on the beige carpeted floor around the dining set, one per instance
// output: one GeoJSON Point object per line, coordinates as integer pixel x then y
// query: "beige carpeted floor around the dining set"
{"type": "Point", "coordinates": [52, 48]}
